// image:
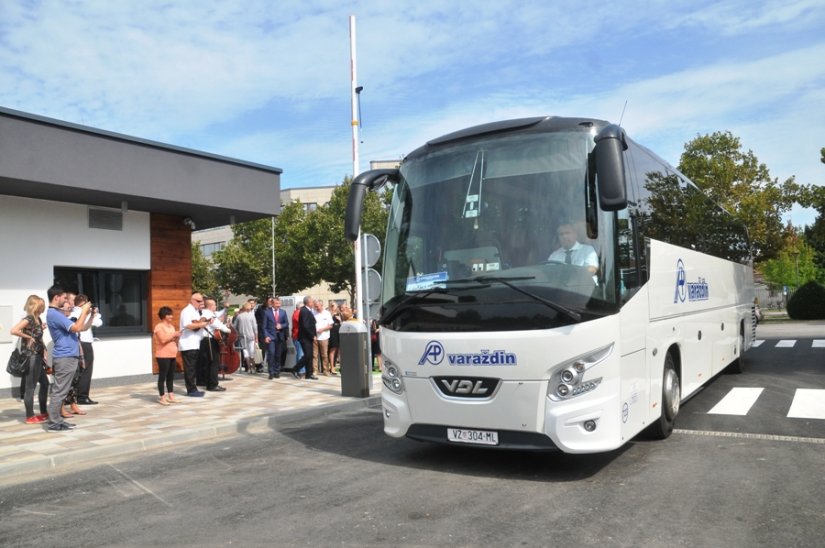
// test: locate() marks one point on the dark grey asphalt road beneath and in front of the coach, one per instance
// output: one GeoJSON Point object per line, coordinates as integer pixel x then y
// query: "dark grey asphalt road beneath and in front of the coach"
{"type": "Point", "coordinates": [720, 480]}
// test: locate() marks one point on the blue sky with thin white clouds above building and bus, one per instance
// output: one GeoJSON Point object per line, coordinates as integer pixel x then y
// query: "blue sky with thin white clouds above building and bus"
{"type": "Point", "coordinates": [269, 81]}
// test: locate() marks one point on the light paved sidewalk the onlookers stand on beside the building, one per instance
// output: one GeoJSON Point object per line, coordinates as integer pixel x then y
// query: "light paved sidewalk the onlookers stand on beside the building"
{"type": "Point", "coordinates": [128, 419]}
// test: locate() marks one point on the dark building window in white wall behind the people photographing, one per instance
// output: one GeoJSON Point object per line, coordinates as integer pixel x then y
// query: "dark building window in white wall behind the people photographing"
{"type": "Point", "coordinates": [119, 295]}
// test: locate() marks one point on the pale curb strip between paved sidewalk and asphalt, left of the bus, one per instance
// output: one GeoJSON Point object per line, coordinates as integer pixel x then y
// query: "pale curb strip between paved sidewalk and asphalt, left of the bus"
{"type": "Point", "coordinates": [88, 457]}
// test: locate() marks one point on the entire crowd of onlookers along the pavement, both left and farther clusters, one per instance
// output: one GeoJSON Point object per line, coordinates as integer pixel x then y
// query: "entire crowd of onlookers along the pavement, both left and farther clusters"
{"type": "Point", "coordinates": [70, 319]}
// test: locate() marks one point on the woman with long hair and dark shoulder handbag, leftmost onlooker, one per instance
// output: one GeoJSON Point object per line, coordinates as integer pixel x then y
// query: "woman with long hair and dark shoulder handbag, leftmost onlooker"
{"type": "Point", "coordinates": [30, 331]}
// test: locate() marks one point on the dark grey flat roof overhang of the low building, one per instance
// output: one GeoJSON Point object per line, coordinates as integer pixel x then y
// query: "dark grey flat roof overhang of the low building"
{"type": "Point", "coordinates": [48, 159]}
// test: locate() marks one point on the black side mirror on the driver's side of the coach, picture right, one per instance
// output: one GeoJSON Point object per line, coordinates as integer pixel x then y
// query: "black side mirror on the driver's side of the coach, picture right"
{"type": "Point", "coordinates": [610, 143]}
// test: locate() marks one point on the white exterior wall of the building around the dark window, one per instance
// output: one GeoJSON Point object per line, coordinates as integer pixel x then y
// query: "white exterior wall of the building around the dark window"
{"type": "Point", "coordinates": [36, 236]}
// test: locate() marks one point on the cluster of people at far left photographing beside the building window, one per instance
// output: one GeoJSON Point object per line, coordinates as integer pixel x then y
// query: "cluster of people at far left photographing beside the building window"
{"type": "Point", "coordinates": [69, 321]}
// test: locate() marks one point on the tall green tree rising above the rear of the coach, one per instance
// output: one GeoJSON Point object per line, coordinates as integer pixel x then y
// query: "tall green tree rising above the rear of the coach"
{"type": "Point", "coordinates": [738, 182]}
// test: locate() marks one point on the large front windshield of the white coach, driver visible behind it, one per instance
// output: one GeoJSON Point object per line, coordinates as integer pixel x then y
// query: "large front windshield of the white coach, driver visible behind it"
{"type": "Point", "coordinates": [497, 233]}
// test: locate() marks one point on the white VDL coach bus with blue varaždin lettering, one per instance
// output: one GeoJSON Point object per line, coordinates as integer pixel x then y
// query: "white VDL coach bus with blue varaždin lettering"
{"type": "Point", "coordinates": [494, 334]}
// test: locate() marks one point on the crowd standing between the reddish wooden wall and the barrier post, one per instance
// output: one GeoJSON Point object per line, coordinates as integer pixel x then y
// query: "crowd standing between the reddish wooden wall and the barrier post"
{"type": "Point", "coordinates": [266, 327]}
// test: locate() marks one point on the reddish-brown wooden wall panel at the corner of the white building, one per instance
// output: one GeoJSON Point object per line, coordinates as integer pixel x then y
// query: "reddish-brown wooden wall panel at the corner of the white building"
{"type": "Point", "coordinates": [170, 279]}
